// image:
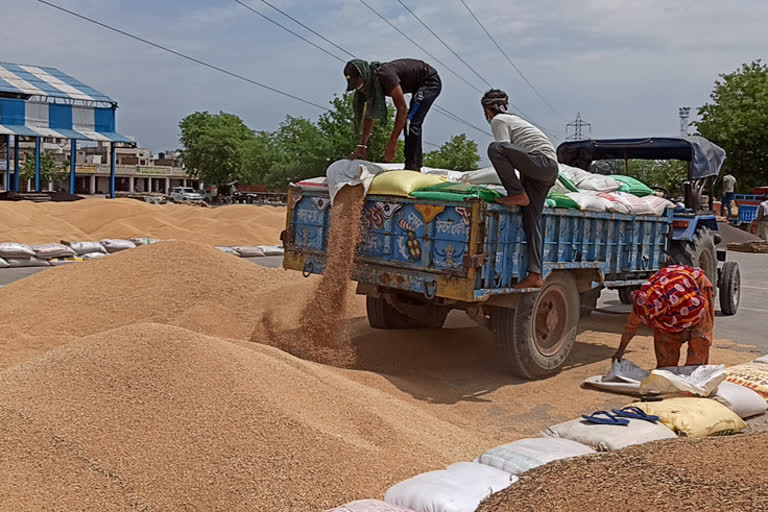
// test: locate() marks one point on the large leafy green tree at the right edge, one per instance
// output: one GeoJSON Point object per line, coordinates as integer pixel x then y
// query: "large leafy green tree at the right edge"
{"type": "Point", "coordinates": [736, 120]}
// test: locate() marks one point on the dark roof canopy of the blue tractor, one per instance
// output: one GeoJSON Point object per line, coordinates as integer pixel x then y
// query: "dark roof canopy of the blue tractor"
{"type": "Point", "coordinates": [705, 158]}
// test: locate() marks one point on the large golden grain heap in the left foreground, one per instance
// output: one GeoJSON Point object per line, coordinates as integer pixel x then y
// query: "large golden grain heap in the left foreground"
{"type": "Point", "coordinates": [156, 418]}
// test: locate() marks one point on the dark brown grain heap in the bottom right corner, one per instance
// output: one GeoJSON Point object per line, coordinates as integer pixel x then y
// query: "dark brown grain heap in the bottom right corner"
{"type": "Point", "coordinates": [711, 474]}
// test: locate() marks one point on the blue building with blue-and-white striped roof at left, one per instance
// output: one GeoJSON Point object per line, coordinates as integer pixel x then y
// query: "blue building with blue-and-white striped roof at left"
{"type": "Point", "coordinates": [38, 103]}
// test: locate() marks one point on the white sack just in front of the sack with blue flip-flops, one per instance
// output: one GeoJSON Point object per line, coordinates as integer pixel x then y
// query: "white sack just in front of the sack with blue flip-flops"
{"type": "Point", "coordinates": [518, 457]}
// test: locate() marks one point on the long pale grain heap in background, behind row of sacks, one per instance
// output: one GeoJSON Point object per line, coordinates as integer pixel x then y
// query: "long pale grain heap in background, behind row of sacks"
{"type": "Point", "coordinates": [95, 219]}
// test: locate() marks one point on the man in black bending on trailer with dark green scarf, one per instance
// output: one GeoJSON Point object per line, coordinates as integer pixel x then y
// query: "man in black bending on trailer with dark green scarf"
{"type": "Point", "coordinates": [372, 82]}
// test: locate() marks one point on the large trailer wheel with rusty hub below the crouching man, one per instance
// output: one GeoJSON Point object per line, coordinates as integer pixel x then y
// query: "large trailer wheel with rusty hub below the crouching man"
{"type": "Point", "coordinates": [534, 340]}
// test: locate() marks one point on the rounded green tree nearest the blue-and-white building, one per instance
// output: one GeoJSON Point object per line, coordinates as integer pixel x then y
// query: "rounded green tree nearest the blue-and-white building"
{"type": "Point", "coordinates": [215, 147]}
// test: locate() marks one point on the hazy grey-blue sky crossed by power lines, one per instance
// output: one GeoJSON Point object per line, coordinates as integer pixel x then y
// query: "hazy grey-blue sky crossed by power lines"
{"type": "Point", "coordinates": [625, 65]}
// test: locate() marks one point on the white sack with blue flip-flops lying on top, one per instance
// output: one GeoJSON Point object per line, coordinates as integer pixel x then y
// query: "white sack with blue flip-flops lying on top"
{"type": "Point", "coordinates": [610, 437]}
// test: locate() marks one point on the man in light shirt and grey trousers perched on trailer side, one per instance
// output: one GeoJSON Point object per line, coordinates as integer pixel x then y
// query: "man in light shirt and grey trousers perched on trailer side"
{"type": "Point", "coordinates": [521, 146]}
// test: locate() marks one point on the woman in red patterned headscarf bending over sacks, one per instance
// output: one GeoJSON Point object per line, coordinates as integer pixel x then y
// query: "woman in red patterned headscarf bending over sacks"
{"type": "Point", "coordinates": [678, 304]}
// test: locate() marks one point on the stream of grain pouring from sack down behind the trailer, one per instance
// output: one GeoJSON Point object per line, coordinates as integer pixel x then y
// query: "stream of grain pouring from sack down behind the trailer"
{"type": "Point", "coordinates": [322, 335]}
